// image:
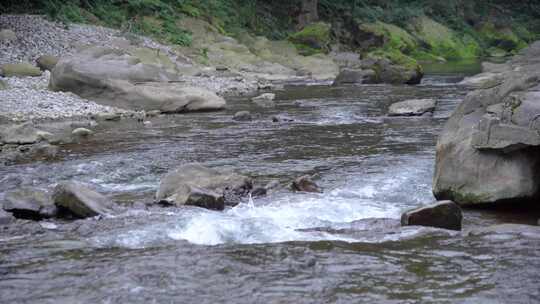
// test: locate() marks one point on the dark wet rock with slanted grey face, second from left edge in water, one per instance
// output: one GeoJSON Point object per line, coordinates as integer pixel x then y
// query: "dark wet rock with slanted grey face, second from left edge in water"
{"type": "Point", "coordinates": [75, 199]}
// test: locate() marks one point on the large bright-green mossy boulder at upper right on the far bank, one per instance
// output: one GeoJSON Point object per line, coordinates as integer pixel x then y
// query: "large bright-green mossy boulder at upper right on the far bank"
{"type": "Point", "coordinates": [443, 42]}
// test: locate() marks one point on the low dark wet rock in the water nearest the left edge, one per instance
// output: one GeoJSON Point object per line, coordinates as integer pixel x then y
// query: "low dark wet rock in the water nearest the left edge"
{"type": "Point", "coordinates": [29, 203]}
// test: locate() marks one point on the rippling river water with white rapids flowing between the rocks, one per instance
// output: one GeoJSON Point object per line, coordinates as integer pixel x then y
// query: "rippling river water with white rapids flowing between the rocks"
{"type": "Point", "coordinates": [286, 247]}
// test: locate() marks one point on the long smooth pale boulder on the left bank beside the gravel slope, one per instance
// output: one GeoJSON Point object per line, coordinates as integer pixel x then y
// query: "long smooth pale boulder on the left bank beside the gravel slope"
{"type": "Point", "coordinates": [131, 81]}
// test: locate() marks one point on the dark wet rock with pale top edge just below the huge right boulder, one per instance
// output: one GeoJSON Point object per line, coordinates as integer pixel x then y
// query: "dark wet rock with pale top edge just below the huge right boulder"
{"type": "Point", "coordinates": [444, 214]}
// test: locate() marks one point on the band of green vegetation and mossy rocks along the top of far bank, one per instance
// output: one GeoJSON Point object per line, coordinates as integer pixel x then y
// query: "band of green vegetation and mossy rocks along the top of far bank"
{"type": "Point", "coordinates": [399, 30]}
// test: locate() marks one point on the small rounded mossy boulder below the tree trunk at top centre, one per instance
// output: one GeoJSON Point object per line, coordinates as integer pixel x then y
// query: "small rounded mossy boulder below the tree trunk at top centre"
{"type": "Point", "coordinates": [313, 39]}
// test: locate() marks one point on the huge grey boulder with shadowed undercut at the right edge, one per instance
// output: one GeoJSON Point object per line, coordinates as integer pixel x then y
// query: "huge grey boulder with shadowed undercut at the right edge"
{"type": "Point", "coordinates": [489, 150]}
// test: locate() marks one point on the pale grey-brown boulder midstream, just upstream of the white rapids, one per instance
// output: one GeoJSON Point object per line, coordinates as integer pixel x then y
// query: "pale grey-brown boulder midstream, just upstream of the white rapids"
{"type": "Point", "coordinates": [194, 184]}
